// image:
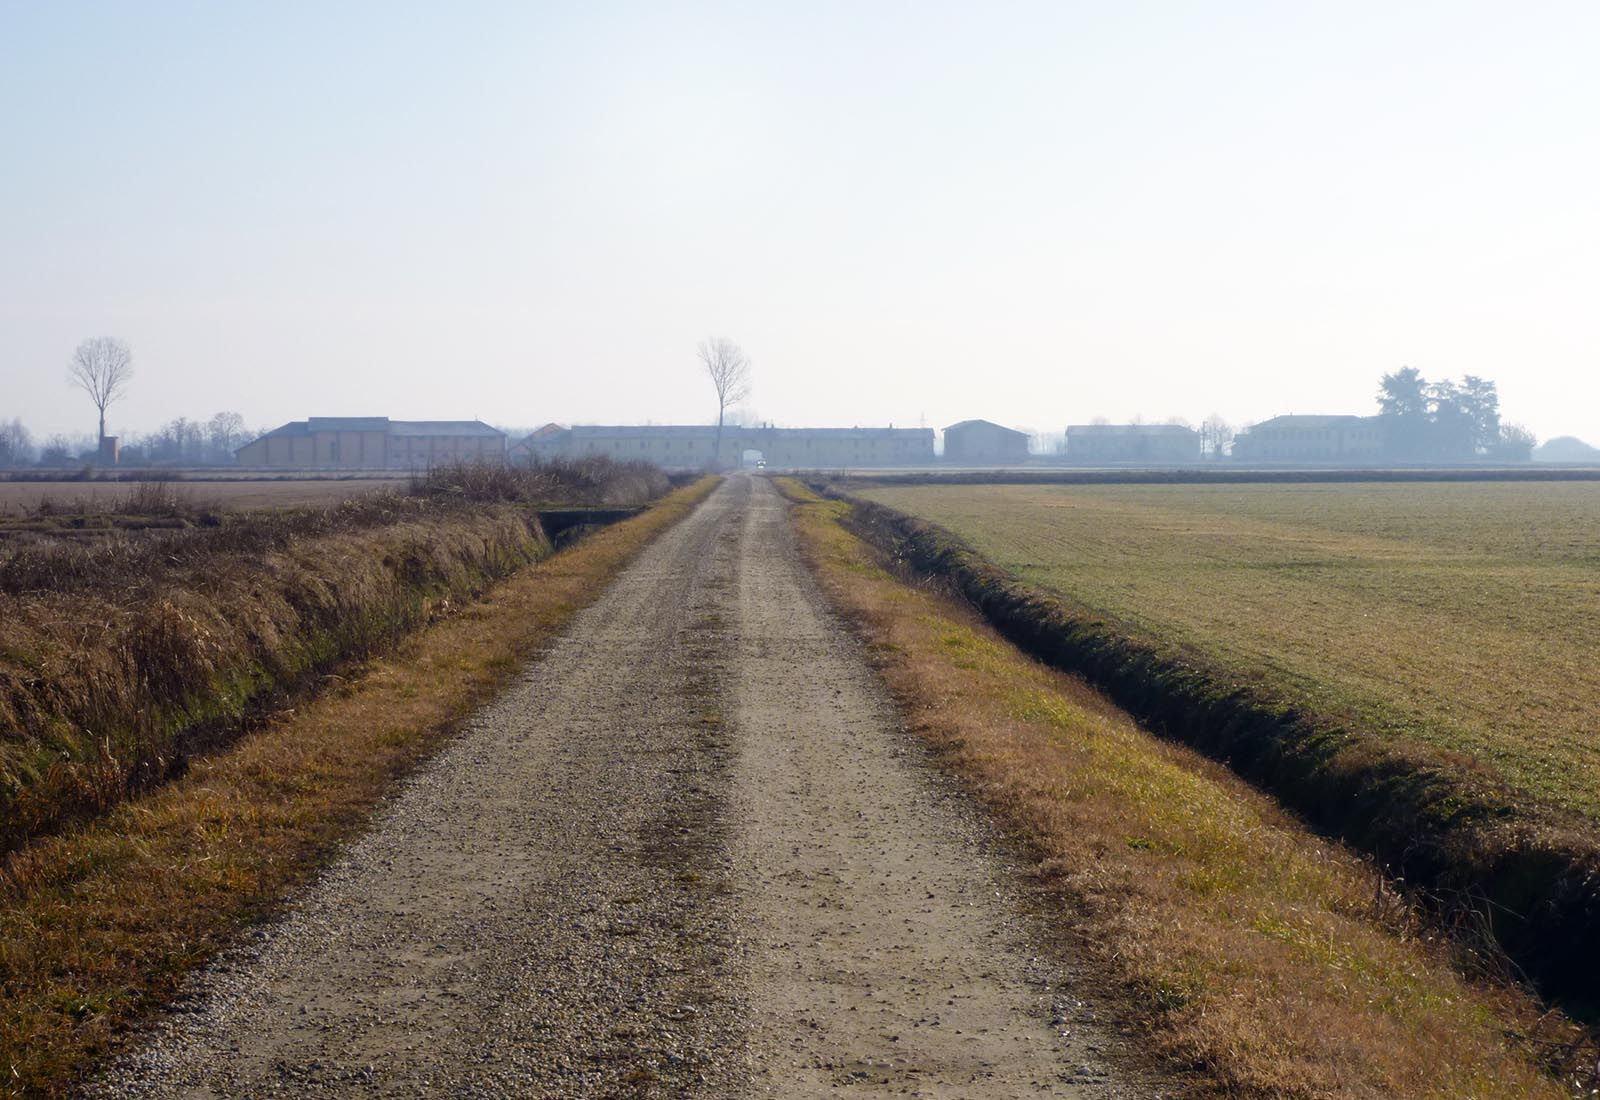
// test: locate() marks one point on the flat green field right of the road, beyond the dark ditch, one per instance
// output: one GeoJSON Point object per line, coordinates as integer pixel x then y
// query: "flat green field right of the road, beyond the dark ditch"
{"type": "Point", "coordinates": [1458, 616]}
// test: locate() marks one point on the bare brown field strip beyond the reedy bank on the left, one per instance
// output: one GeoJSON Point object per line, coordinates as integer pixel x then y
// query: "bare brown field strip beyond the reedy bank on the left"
{"type": "Point", "coordinates": [71, 496]}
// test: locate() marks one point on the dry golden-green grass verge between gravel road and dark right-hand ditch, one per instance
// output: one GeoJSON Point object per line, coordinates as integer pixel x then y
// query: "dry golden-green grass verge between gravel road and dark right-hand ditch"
{"type": "Point", "coordinates": [1270, 960]}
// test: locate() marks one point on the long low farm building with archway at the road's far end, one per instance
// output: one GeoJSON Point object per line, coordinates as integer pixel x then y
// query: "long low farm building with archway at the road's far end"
{"type": "Point", "coordinates": [692, 447]}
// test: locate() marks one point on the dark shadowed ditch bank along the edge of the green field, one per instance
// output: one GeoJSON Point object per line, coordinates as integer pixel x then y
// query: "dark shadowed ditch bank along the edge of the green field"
{"type": "Point", "coordinates": [1513, 880]}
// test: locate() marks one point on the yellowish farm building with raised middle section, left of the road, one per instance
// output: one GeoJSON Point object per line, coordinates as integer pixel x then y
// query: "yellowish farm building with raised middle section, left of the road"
{"type": "Point", "coordinates": [374, 442]}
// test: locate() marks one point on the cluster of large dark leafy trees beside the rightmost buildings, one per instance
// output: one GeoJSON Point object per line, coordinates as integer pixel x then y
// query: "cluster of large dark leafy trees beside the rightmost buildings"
{"type": "Point", "coordinates": [1447, 420]}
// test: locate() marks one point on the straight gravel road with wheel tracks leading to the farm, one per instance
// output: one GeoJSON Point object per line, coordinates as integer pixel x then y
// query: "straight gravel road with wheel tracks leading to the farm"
{"type": "Point", "coordinates": [690, 855]}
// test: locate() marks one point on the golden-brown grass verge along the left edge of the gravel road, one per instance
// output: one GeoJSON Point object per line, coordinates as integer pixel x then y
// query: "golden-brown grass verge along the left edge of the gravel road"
{"type": "Point", "coordinates": [103, 923]}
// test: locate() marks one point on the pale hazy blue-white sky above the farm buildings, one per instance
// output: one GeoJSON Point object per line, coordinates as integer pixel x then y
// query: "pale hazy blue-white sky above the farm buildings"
{"type": "Point", "coordinates": [906, 213]}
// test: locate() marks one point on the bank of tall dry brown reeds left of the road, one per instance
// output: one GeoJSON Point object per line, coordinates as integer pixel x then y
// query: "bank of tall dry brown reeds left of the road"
{"type": "Point", "coordinates": [116, 677]}
